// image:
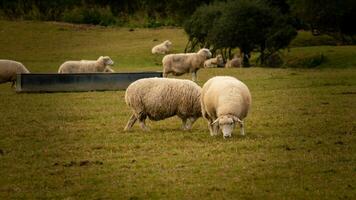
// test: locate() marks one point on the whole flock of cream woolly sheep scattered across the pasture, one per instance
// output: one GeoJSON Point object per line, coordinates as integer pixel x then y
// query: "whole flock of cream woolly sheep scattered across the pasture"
{"type": "Point", "coordinates": [223, 101]}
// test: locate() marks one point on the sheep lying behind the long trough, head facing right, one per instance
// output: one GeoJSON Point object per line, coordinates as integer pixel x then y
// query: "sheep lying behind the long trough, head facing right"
{"type": "Point", "coordinates": [87, 66]}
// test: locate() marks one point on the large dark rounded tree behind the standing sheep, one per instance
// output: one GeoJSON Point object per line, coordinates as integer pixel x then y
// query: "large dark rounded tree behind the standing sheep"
{"type": "Point", "coordinates": [245, 24]}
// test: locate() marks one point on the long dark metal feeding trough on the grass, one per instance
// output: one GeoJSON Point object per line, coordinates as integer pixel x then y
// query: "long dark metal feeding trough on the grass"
{"type": "Point", "coordinates": [78, 82]}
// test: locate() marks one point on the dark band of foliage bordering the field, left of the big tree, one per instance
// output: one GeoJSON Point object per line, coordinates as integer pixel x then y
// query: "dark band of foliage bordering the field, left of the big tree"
{"type": "Point", "coordinates": [120, 10]}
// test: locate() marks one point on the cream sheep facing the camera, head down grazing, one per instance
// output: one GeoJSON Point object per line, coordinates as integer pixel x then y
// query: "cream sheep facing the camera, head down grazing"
{"type": "Point", "coordinates": [225, 101]}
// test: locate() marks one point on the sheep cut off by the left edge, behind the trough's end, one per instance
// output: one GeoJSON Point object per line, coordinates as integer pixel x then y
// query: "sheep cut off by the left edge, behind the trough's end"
{"type": "Point", "coordinates": [9, 70]}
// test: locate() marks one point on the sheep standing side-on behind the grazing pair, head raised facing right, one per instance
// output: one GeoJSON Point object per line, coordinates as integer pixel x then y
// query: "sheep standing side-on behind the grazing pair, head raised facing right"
{"type": "Point", "coordinates": [179, 64]}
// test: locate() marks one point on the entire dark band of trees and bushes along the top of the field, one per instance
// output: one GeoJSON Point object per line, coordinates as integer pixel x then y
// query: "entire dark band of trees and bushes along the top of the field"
{"type": "Point", "coordinates": [228, 27]}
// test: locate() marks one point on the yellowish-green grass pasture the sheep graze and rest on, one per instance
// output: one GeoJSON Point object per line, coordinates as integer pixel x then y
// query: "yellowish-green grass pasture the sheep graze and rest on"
{"type": "Point", "coordinates": [300, 141]}
